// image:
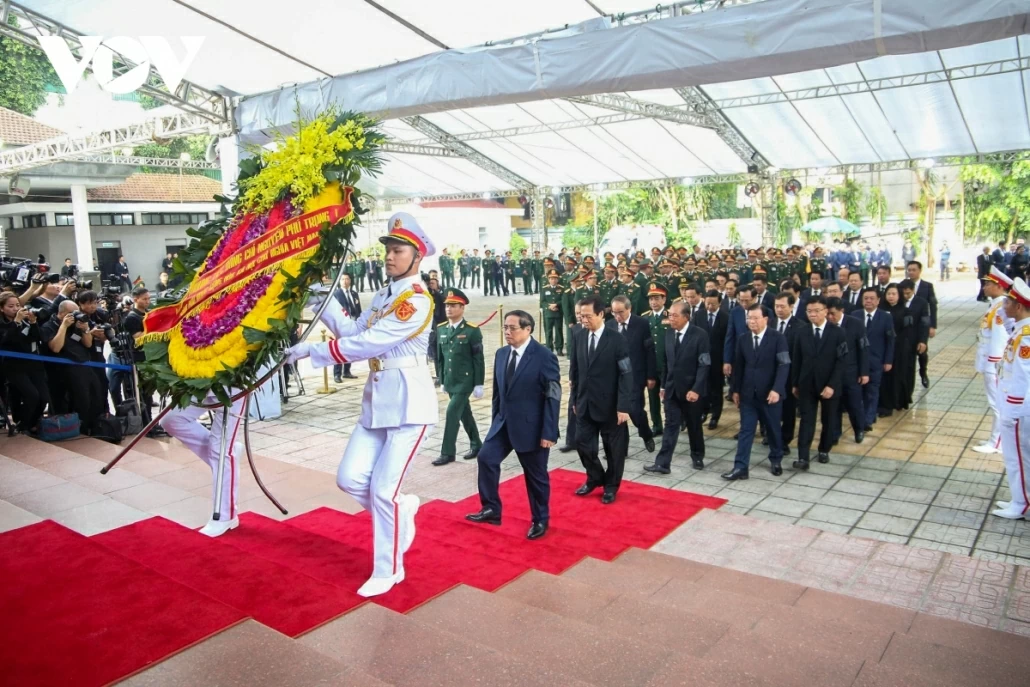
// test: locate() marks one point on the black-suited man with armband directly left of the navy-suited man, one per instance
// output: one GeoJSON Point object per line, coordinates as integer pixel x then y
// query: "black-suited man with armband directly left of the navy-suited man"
{"type": "Point", "coordinates": [684, 389]}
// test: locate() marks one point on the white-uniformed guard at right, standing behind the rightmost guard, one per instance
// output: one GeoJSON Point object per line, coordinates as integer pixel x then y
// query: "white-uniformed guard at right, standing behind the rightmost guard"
{"type": "Point", "coordinates": [991, 339]}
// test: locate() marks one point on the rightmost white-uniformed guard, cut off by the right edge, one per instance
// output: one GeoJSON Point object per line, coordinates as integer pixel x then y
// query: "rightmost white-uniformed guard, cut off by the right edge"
{"type": "Point", "coordinates": [1014, 386]}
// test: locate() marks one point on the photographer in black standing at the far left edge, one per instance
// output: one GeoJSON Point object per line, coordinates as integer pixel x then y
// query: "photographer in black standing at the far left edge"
{"type": "Point", "coordinates": [19, 333]}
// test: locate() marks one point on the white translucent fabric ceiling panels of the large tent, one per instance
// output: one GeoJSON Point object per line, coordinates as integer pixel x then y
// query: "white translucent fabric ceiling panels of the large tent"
{"type": "Point", "coordinates": [257, 46]}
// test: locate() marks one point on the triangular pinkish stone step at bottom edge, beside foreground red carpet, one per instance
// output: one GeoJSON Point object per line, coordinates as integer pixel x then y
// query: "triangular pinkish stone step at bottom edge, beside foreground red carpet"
{"type": "Point", "coordinates": [254, 656]}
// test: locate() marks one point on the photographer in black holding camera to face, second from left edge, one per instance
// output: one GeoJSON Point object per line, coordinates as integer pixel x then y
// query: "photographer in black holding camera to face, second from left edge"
{"type": "Point", "coordinates": [68, 336]}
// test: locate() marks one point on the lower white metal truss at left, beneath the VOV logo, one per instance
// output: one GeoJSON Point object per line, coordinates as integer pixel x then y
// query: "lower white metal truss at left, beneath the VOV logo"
{"type": "Point", "coordinates": [73, 147]}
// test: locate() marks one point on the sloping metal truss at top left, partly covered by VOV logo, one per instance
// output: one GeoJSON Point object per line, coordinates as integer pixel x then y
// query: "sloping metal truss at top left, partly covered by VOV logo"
{"type": "Point", "coordinates": [188, 96]}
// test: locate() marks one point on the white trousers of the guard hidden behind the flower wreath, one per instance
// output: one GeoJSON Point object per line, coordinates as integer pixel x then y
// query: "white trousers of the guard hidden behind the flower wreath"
{"type": "Point", "coordinates": [185, 426]}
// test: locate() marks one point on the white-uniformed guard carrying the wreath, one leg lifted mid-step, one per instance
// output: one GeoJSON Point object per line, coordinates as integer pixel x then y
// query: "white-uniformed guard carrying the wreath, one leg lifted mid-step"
{"type": "Point", "coordinates": [399, 405]}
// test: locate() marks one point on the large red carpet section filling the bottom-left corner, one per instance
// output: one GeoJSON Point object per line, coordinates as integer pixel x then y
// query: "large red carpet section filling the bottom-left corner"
{"type": "Point", "coordinates": [76, 613]}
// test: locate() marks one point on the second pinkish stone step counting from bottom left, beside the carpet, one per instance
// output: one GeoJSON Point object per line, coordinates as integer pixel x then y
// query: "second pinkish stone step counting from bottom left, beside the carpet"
{"type": "Point", "coordinates": [401, 650]}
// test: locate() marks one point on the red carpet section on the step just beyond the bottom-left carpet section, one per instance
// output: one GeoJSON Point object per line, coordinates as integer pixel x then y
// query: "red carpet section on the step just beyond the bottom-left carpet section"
{"type": "Point", "coordinates": [273, 595]}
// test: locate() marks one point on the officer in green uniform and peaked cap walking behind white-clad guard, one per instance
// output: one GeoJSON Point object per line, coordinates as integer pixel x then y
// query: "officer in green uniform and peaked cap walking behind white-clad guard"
{"type": "Point", "coordinates": [462, 369]}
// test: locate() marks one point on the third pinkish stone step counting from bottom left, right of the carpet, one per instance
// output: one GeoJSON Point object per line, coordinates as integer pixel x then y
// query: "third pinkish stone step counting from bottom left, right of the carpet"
{"type": "Point", "coordinates": [569, 647]}
